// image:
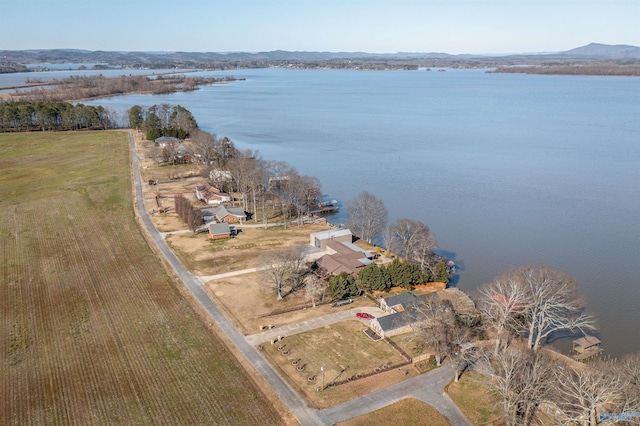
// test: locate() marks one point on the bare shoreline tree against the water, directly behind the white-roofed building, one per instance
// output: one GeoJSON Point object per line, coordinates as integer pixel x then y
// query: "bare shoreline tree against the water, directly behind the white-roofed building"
{"type": "Point", "coordinates": [367, 216]}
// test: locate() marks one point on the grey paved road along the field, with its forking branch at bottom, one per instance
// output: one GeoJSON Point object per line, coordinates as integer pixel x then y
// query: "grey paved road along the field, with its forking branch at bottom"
{"type": "Point", "coordinates": [427, 387]}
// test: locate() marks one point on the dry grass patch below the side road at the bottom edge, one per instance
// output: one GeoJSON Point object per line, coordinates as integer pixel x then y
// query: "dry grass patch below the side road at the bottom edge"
{"type": "Point", "coordinates": [408, 412]}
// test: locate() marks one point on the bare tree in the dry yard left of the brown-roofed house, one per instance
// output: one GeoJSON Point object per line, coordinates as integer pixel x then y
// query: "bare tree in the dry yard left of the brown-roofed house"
{"type": "Point", "coordinates": [283, 268]}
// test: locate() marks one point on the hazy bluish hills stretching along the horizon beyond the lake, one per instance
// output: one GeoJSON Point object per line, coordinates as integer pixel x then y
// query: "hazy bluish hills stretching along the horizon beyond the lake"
{"type": "Point", "coordinates": [15, 60]}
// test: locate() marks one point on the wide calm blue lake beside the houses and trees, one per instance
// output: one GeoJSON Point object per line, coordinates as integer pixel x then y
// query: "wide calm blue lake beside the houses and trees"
{"type": "Point", "coordinates": [506, 169]}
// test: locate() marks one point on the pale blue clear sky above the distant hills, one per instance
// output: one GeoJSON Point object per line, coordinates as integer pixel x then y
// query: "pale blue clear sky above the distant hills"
{"type": "Point", "coordinates": [452, 26]}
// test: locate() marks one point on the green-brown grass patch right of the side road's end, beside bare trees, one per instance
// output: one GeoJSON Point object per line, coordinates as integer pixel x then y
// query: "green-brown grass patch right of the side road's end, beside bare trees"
{"type": "Point", "coordinates": [471, 396]}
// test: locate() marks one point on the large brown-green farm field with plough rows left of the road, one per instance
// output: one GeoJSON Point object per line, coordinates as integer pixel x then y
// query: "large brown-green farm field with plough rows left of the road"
{"type": "Point", "coordinates": [93, 329]}
